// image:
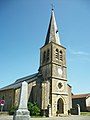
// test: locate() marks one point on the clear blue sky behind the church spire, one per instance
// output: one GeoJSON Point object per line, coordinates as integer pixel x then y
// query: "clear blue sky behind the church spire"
{"type": "Point", "coordinates": [23, 29]}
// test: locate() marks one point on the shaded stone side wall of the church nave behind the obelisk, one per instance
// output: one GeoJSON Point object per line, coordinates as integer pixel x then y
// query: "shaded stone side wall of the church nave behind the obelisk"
{"type": "Point", "coordinates": [12, 96]}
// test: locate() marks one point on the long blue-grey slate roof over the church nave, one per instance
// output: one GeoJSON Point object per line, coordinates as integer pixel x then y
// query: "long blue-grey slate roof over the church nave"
{"type": "Point", "coordinates": [18, 82]}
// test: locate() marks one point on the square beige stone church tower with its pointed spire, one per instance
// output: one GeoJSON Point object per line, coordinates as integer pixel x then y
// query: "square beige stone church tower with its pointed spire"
{"type": "Point", "coordinates": [54, 72]}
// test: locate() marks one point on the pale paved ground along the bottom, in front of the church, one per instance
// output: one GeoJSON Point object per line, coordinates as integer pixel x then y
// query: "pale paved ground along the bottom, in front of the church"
{"type": "Point", "coordinates": [52, 118]}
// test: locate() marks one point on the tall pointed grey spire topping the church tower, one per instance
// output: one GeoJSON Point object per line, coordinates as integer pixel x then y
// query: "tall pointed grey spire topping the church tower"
{"type": "Point", "coordinates": [52, 34]}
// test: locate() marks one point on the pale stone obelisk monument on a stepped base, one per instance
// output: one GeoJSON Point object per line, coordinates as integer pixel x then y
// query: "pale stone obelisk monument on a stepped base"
{"type": "Point", "coordinates": [22, 113]}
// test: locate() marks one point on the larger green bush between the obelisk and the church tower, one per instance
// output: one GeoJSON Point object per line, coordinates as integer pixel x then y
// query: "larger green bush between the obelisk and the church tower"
{"type": "Point", "coordinates": [34, 109]}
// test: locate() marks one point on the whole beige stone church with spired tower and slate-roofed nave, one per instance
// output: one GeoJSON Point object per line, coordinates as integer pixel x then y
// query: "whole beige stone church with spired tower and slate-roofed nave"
{"type": "Point", "coordinates": [49, 86]}
